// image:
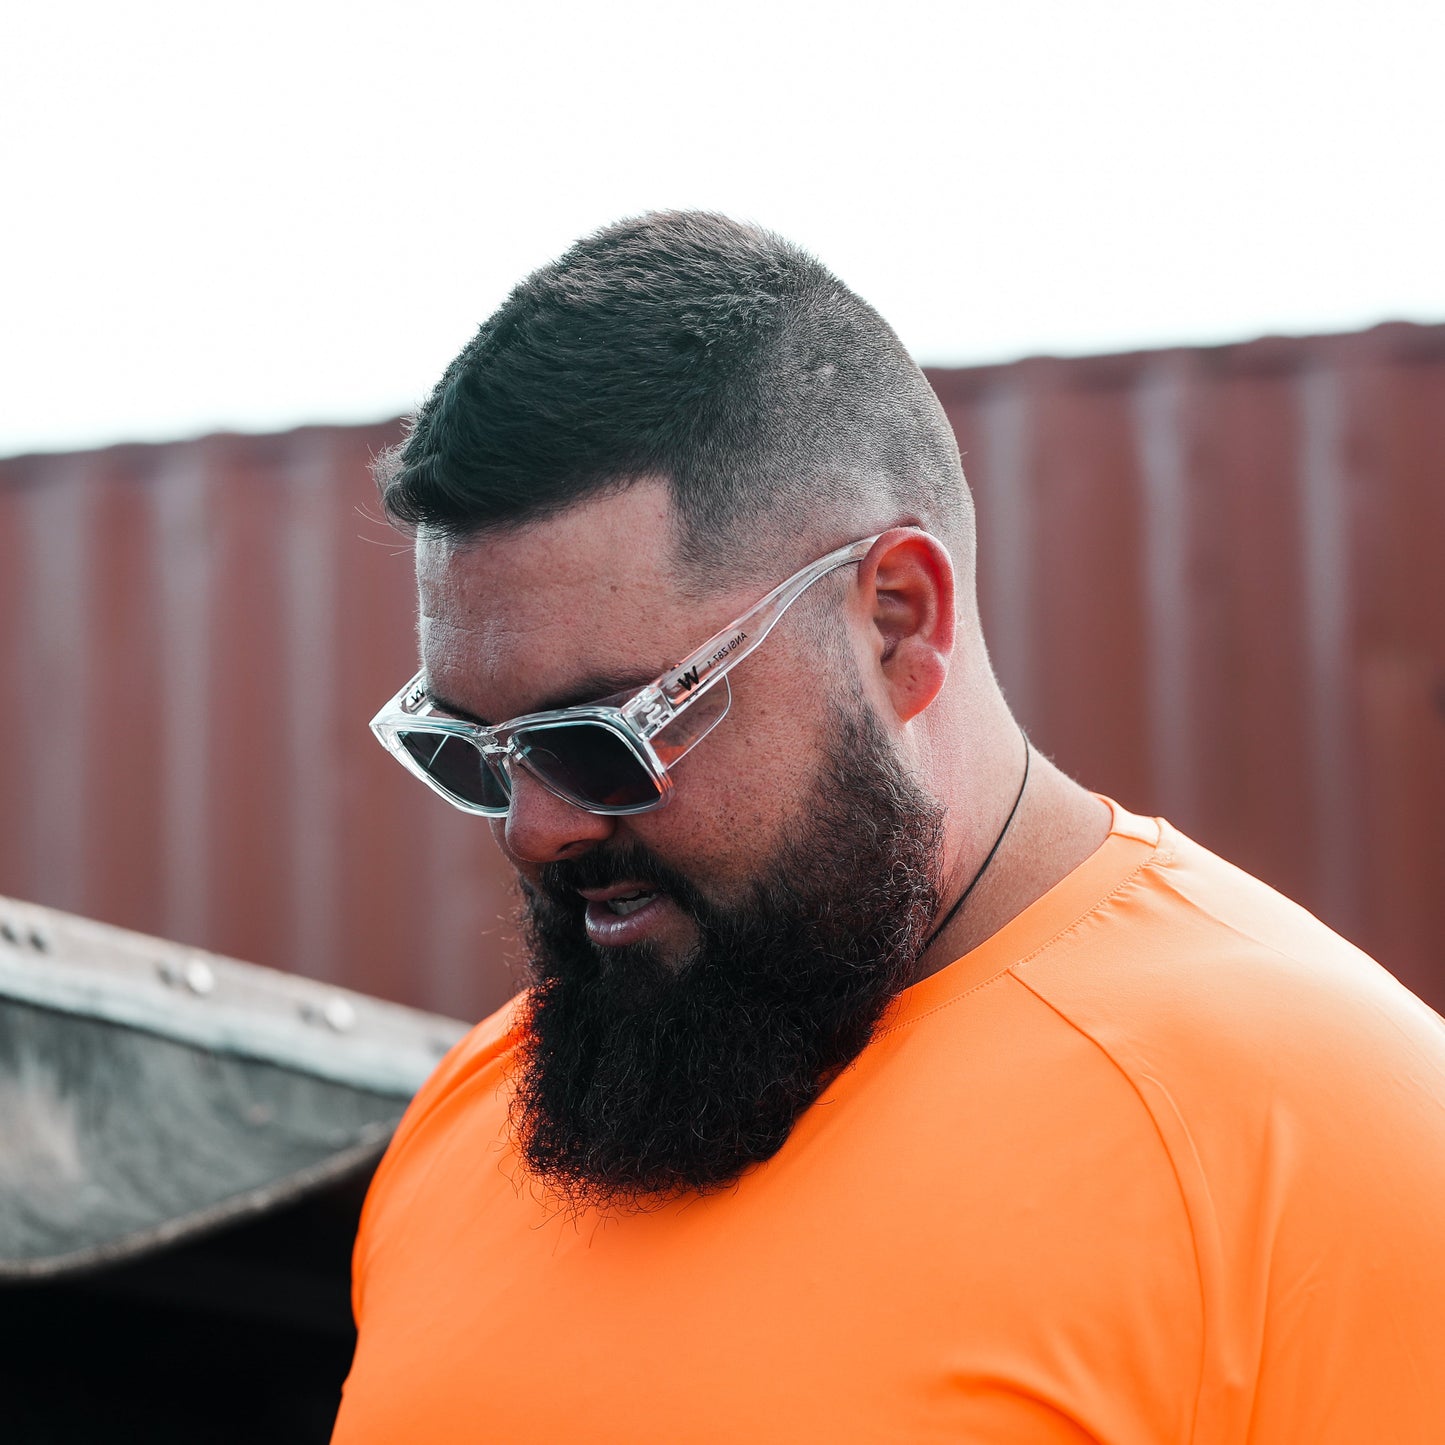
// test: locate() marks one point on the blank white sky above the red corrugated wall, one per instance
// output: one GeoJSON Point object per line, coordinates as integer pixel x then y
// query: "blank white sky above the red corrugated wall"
{"type": "Point", "coordinates": [264, 215]}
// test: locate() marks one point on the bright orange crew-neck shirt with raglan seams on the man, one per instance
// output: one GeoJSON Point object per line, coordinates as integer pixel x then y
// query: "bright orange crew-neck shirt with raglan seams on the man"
{"type": "Point", "coordinates": [1161, 1161]}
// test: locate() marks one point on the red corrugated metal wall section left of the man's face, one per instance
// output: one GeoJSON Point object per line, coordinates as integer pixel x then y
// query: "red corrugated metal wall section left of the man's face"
{"type": "Point", "coordinates": [194, 639]}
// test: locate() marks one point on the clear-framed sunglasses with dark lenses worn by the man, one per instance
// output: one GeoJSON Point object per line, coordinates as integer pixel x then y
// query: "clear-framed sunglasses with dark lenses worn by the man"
{"type": "Point", "coordinates": [613, 756]}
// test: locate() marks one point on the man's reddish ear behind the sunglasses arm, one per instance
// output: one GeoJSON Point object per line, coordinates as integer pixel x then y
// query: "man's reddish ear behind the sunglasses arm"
{"type": "Point", "coordinates": [907, 583]}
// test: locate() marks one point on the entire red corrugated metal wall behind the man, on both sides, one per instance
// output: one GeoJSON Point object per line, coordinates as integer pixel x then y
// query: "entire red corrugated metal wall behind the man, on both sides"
{"type": "Point", "coordinates": [1213, 580]}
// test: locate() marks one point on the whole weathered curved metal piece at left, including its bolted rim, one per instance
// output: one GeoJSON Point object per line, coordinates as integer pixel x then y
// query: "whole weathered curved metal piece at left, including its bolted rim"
{"type": "Point", "coordinates": [151, 1092]}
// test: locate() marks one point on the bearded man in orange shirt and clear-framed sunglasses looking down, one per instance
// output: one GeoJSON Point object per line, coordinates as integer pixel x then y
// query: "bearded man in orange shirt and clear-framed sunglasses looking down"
{"type": "Point", "coordinates": [876, 1083]}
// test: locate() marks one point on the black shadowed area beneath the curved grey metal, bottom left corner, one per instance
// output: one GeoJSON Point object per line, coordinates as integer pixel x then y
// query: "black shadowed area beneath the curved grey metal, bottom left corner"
{"type": "Point", "coordinates": [229, 1339]}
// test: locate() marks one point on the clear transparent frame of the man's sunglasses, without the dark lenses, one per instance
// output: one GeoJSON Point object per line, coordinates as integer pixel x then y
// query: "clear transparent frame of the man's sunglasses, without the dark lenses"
{"type": "Point", "coordinates": [660, 725]}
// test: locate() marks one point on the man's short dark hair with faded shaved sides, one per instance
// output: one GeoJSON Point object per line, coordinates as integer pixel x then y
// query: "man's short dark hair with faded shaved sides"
{"type": "Point", "coordinates": [690, 348]}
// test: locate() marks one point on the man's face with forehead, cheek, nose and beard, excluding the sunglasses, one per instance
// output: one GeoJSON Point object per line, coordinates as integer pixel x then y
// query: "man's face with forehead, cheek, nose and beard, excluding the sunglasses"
{"type": "Point", "coordinates": [704, 970]}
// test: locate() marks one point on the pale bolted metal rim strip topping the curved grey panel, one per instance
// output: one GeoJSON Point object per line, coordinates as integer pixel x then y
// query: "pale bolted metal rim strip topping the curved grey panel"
{"type": "Point", "coordinates": [70, 965]}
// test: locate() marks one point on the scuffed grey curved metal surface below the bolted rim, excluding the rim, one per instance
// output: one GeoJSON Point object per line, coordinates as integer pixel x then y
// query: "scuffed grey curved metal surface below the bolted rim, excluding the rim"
{"type": "Point", "coordinates": [126, 1142]}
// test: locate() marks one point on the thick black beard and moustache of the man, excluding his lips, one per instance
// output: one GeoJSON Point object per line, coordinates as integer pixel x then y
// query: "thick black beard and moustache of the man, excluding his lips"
{"type": "Point", "coordinates": [637, 1082]}
